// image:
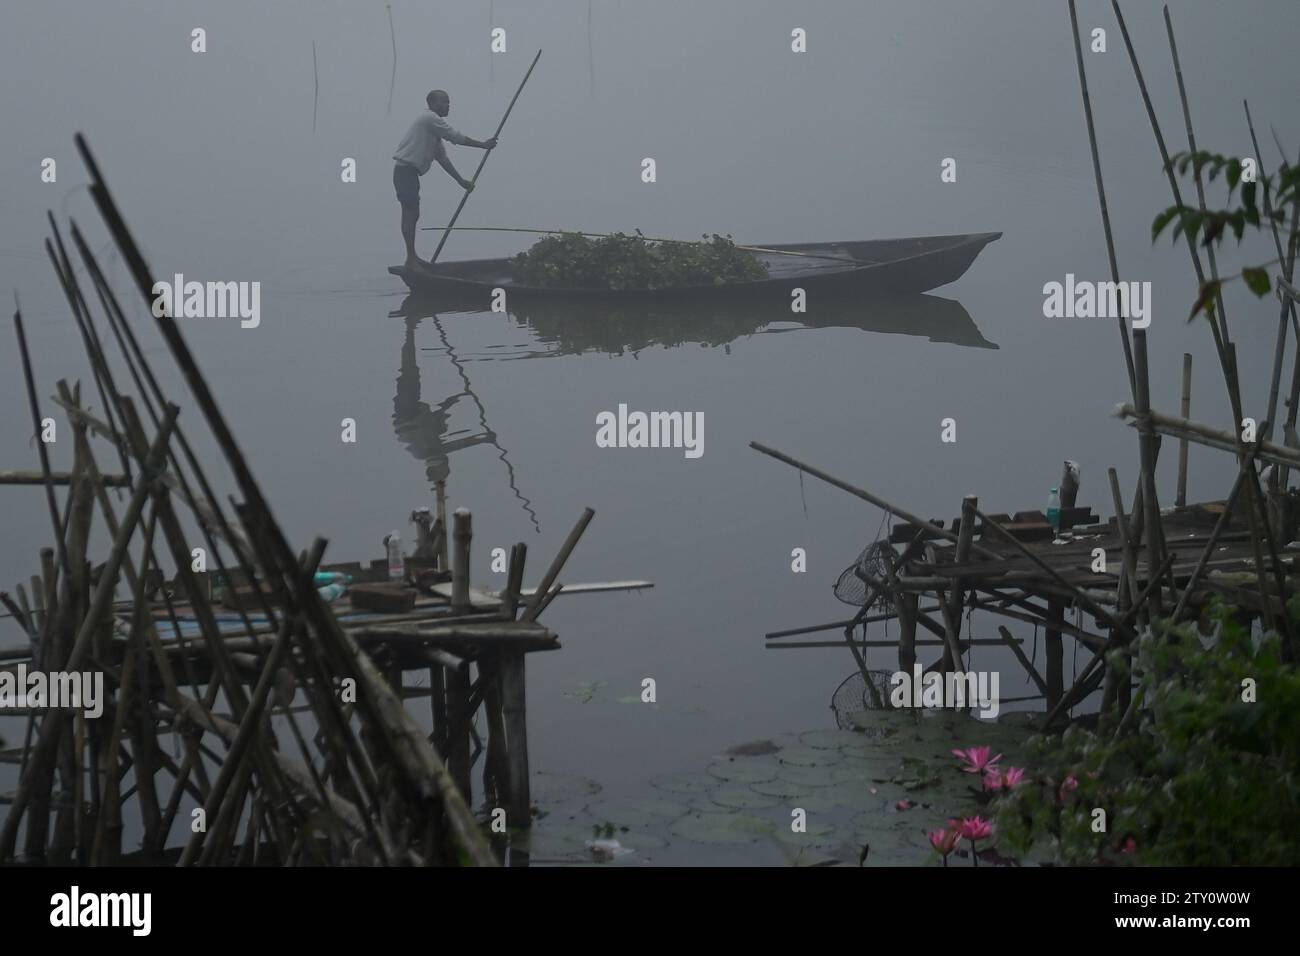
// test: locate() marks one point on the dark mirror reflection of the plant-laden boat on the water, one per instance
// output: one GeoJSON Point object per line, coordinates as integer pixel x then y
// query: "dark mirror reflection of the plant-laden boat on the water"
{"type": "Point", "coordinates": [603, 327]}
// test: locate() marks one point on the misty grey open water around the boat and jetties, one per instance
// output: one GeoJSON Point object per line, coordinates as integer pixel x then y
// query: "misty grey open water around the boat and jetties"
{"type": "Point", "coordinates": [215, 165]}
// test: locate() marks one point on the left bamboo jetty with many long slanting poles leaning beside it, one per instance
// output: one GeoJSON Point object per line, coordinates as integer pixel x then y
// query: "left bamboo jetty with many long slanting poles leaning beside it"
{"type": "Point", "coordinates": [250, 716]}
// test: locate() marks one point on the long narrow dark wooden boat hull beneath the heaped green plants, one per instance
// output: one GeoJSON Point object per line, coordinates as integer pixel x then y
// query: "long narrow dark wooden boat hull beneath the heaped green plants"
{"type": "Point", "coordinates": [873, 267]}
